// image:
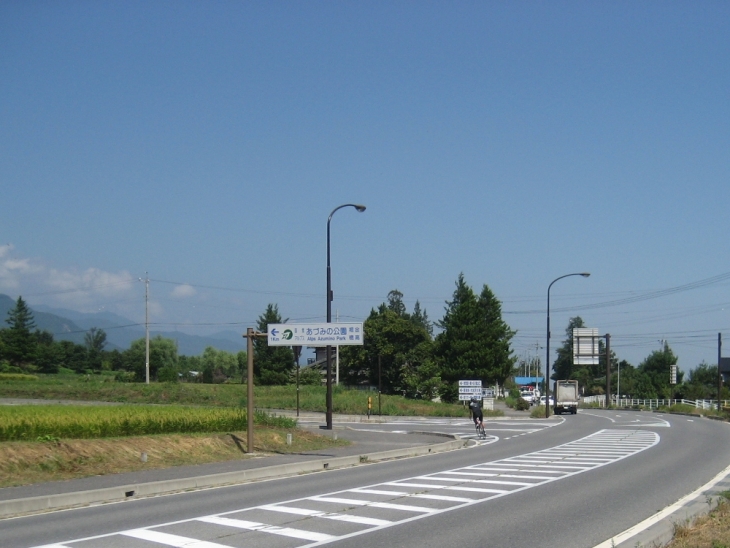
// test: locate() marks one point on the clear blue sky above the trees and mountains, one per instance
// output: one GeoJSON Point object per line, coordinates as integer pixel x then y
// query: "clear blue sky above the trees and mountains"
{"type": "Point", "coordinates": [207, 142]}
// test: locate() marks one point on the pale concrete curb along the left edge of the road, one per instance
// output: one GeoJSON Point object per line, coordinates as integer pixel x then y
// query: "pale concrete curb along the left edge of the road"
{"type": "Point", "coordinates": [134, 491]}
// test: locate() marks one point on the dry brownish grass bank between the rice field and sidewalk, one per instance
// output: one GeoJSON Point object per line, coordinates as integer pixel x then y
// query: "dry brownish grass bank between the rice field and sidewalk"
{"type": "Point", "coordinates": [24, 463]}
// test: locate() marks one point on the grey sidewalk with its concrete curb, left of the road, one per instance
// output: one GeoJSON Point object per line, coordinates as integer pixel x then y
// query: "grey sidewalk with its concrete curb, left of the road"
{"type": "Point", "coordinates": [365, 447]}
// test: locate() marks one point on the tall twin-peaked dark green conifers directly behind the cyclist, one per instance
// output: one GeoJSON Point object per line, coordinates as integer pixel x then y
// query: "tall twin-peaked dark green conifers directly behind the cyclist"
{"type": "Point", "coordinates": [475, 341]}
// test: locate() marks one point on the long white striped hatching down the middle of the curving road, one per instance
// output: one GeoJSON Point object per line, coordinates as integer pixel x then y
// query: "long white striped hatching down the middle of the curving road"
{"type": "Point", "coordinates": [539, 468]}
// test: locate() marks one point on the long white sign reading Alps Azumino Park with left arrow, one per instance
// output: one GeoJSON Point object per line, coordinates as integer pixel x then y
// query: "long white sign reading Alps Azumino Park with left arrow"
{"type": "Point", "coordinates": [315, 334]}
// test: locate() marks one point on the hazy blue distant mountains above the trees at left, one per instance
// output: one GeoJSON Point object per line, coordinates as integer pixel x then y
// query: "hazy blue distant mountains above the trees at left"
{"type": "Point", "coordinates": [69, 325]}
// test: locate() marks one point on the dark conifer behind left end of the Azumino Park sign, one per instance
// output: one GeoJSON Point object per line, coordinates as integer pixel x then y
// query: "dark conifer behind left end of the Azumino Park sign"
{"type": "Point", "coordinates": [272, 364]}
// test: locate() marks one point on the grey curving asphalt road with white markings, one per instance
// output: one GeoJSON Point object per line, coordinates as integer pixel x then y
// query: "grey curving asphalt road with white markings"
{"type": "Point", "coordinates": [576, 483]}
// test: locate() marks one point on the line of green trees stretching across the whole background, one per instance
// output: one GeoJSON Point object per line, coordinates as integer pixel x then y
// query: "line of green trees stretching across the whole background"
{"type": "Point", "coordinates": [400, 354]}
